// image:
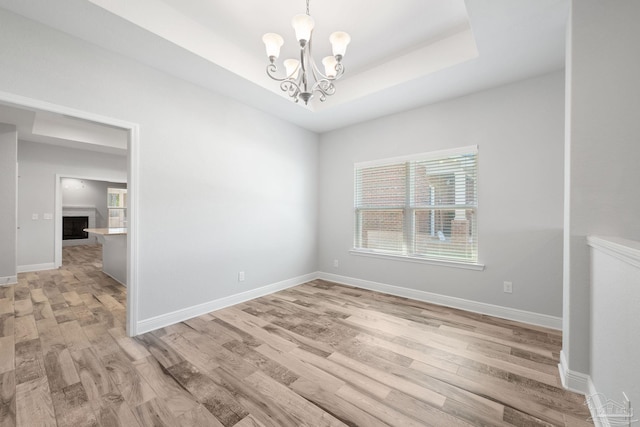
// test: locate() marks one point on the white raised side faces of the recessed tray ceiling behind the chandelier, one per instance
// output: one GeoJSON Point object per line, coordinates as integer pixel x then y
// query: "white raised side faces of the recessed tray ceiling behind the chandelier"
{"type": "Point", "coordinates": [168, 22]}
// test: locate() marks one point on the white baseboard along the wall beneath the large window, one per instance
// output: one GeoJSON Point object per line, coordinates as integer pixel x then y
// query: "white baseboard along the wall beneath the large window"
{"type": "Point", "coordinates": [454, 302]}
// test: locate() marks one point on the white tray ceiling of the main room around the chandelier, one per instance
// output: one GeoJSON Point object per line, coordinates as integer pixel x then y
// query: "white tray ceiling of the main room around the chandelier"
{"type": "Point", "coordinates": [403, 54]}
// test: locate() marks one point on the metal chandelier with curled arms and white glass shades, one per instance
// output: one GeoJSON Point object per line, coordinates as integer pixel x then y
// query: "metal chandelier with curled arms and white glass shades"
{"type": "Point", "coordinates": [302, 77]}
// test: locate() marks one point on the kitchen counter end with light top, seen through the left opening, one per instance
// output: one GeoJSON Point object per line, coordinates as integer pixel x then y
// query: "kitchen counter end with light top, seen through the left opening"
{"type": "Point", "coordinates": [114, 251]}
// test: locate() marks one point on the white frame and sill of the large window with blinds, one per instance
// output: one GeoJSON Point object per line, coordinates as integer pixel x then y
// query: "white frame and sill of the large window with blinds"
{"type": "Point", "coordinates": [410, 208]}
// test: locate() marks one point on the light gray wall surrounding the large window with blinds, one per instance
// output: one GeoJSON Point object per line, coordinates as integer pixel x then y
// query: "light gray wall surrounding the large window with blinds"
{"type": "Point", "coordinates": [519, 130]}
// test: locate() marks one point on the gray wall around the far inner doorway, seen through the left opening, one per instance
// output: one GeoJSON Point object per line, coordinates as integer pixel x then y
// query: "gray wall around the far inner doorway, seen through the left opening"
{"type": "Point", "coordinates": [39, 164]}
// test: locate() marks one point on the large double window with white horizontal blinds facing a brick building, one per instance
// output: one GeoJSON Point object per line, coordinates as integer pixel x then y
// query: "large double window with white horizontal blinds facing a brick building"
{"type": "Point", "coordinates": [422, 206]}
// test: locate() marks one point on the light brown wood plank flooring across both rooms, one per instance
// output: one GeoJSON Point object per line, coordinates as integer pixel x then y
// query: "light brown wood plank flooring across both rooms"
{"type": "Point", "coordinates": [319, 354]}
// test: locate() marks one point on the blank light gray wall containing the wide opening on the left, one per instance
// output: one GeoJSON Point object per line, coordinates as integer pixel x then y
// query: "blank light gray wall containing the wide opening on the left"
{"type": "Point", "coordinates": [222, 187]}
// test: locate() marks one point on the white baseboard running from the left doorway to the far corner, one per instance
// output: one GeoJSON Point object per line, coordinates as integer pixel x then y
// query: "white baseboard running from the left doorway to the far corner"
{"type": "Point", "coordinates": [161, 321]}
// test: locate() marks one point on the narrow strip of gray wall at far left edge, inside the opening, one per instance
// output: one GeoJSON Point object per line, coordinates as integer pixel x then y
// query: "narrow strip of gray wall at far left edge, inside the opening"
{"type": "Point", "coordinates": [8, 176]}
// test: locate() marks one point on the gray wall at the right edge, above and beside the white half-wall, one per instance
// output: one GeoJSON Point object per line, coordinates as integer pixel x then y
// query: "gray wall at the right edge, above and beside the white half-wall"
{"type": "Point", "coordinates": [603, 148]}
